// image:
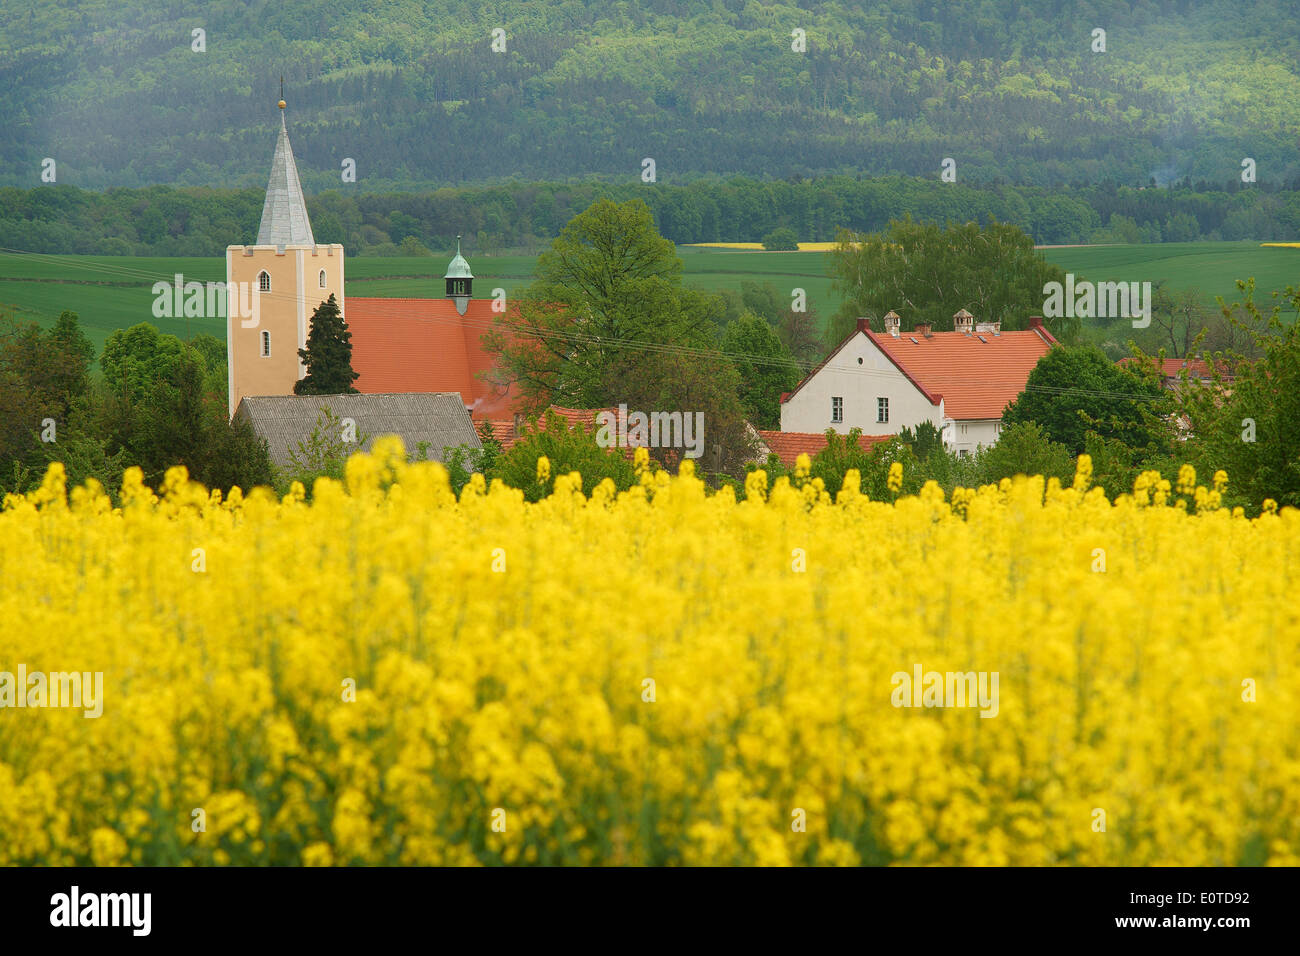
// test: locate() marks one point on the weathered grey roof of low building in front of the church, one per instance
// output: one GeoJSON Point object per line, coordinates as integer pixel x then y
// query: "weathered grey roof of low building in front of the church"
{"type": "Point", "coordinates": [437, 418]}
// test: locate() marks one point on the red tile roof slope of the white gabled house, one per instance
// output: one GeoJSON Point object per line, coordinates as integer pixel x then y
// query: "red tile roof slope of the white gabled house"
{"type": "Point", "coordinates": [978, 375]}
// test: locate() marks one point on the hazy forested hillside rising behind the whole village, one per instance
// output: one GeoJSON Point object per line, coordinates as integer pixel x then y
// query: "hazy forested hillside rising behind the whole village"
{"type": "Point", "coordinates": [414, 93]}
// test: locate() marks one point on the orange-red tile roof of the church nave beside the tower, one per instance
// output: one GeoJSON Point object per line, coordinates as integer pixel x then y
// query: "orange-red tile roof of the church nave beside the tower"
{"type": "Point", "coordinates": [424, 345]}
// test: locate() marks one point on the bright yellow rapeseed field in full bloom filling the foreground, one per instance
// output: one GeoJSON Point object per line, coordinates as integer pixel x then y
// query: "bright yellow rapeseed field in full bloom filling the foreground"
{"type": "Point", "coordinates": [385, 674]}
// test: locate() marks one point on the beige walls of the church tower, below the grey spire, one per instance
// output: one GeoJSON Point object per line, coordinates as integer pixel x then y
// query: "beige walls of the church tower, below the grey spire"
{"type": "Point", "coordinates": [285, 313]}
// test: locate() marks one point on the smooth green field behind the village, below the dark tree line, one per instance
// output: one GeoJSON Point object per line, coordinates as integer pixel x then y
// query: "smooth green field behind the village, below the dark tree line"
{"type": "Point", "coordinates": [115, 292]}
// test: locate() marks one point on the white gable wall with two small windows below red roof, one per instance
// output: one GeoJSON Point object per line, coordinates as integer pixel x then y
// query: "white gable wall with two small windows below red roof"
{"type": "Point", "coordinates": [860, 375]}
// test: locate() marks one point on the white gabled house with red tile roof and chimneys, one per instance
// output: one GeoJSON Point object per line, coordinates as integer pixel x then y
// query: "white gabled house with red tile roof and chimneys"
{"type": "Point", "coordinates": [882, 383]}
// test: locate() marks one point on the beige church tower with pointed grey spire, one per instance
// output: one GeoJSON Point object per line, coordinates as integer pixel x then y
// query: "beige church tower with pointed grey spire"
{"type": "Point", "coordinates": [275, 285]}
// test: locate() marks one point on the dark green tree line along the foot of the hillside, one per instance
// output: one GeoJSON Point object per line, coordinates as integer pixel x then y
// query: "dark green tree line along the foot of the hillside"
{"type": "Point", "coordinates": [170, 222]}
